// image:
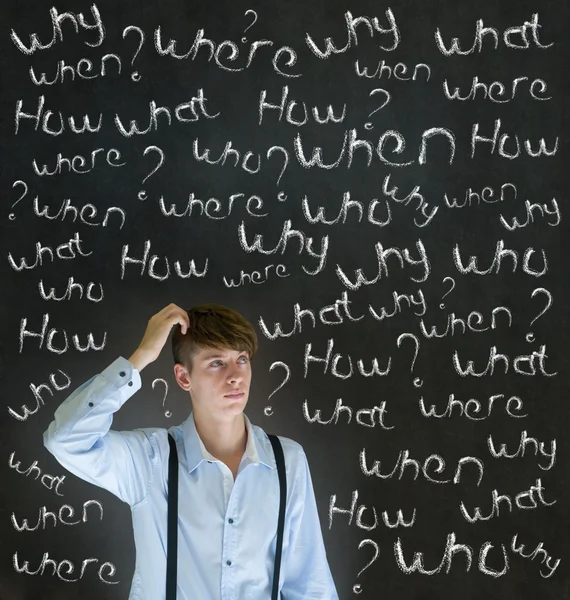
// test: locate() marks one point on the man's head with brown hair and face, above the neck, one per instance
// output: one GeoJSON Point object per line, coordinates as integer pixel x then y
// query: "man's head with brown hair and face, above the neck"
{"type": "Point", "coordinates": [213, 358]}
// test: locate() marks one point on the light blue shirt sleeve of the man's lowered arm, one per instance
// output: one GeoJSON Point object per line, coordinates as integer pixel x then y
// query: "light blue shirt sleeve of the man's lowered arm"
{"type": "Point", "coordinates": [307, 572]}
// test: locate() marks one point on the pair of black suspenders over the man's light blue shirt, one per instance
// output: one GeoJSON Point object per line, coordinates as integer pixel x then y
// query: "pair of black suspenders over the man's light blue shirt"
{"type": "Point", "coordinates": [172, 545]}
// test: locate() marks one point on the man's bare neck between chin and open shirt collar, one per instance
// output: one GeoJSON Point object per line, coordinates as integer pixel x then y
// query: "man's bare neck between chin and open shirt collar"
{"type": "Point", "coordinates": [224, 440]}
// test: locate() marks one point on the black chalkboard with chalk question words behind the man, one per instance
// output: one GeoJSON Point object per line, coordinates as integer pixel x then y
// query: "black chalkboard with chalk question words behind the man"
{"type": "Point", "coordinates": [360, 555]}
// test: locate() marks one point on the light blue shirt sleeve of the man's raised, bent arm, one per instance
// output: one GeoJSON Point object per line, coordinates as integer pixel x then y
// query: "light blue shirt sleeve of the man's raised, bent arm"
{"type": "Point", "coordinates": [81, 440]}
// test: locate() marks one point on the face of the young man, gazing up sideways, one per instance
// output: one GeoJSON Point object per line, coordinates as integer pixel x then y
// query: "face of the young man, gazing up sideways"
{"type": "Point", "coordinates": [217, 375]}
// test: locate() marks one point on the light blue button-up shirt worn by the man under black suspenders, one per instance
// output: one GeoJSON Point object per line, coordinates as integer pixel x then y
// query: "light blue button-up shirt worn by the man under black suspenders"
{"type": "Point", "coordinates": [227, 529]}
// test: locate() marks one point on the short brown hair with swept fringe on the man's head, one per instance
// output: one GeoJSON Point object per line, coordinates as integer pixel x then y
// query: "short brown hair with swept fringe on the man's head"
{"type": "Point", "coordinates": [212, 326]}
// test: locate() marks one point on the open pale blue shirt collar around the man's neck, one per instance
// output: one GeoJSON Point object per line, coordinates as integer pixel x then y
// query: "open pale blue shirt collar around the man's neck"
{"type": "Point", "coordinates": [256, 448]}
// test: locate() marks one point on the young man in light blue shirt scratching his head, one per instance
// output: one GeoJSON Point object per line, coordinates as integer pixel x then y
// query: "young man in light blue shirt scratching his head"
{"type": "Point", "coordinates": [228, 483]}
